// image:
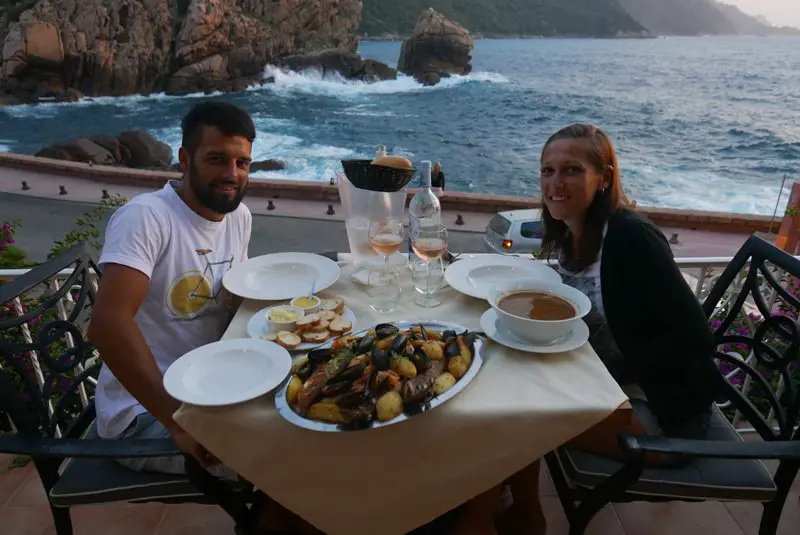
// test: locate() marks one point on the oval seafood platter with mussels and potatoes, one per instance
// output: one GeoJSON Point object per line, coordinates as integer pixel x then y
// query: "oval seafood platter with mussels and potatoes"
{"type": "Point", "coordinates": [379, 376]}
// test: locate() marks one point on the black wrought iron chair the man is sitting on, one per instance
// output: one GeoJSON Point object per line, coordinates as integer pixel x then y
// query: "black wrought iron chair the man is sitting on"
{"type": "Point", "coordinates": [48, 374]}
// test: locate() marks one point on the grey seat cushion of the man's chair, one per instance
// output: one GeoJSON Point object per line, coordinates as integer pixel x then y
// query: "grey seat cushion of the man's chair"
{"type": "Point", "coordinates": [93, 481]}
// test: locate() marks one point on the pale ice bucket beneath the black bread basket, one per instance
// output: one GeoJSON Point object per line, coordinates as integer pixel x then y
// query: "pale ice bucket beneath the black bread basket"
{"type": "Point", "coordinates": [360, 208]}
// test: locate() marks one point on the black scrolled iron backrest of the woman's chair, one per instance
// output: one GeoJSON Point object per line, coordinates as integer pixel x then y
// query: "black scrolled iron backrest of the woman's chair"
{"type": "Point", "coordinates": [753, 309]}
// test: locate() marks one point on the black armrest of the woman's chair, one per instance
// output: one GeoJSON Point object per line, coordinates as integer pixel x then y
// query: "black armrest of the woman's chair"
{"type": "Point", "coordinates": [722, 449]}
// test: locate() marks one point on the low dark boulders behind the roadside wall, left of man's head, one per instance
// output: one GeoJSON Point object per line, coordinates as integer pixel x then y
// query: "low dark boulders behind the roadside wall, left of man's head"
{"type": "Point", "coordinates": [133, 148]}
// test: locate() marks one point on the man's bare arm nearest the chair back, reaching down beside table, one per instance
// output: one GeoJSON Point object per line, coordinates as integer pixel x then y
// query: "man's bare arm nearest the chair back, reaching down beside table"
{"type": "Point", "coordinates": [123, 348]}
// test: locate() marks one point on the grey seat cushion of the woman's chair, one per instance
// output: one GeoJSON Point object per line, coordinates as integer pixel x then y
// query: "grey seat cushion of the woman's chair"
{"type": "Point", "coordinates": [702, 479]}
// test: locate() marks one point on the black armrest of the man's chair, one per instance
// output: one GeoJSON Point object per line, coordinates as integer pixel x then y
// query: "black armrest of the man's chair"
{"type": "Point", "coordinates": [98, 448]}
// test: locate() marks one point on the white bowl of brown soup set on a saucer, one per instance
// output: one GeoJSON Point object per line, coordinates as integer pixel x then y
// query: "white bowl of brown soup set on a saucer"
{"type": "Point", "coordinates": [538, 331]}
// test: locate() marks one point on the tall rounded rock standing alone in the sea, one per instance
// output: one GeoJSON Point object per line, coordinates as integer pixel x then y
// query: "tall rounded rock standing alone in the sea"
{"type": "Point", "coordinates": [437, 48]}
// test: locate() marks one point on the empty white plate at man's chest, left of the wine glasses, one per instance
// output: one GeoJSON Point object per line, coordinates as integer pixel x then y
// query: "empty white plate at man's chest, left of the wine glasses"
{"type": "Point", "coordinates": [278, 276]}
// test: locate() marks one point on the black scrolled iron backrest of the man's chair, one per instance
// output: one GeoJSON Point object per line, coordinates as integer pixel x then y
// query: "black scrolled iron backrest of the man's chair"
{"type": "Point", "coordinates": [48, 370]}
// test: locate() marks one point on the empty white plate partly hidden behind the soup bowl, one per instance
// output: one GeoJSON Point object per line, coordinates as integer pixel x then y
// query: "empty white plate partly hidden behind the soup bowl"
{"type": "Point", "coordinates": [475, 275]}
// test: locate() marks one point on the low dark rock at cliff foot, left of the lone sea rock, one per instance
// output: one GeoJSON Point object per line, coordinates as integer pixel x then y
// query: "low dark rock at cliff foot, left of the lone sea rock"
{"type": "Point", "coordinates": [348, 64]}
